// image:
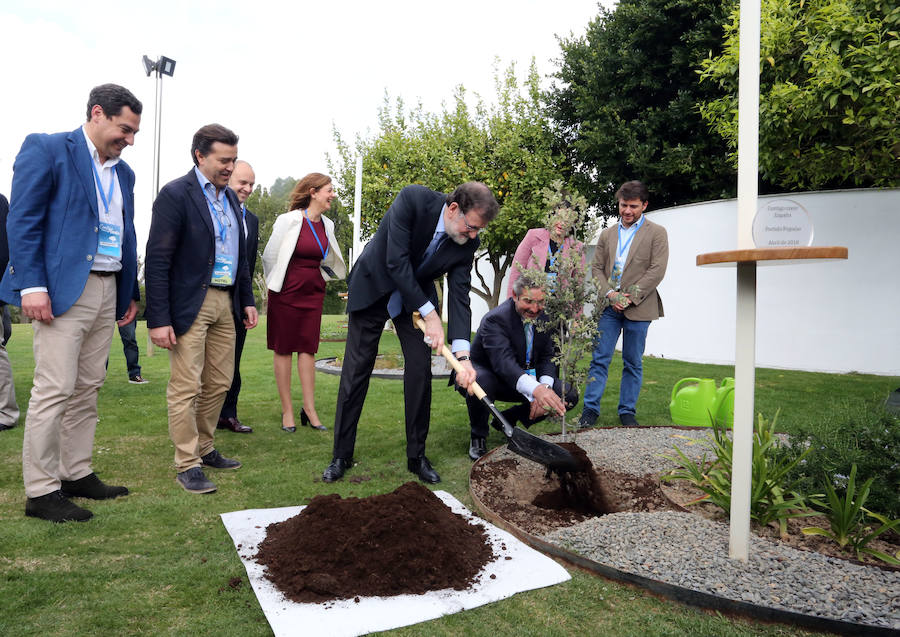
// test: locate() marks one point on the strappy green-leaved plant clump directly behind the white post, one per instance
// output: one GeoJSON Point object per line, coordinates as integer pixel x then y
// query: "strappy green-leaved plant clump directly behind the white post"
{"type": "Point", "coordinates": [772, 496]}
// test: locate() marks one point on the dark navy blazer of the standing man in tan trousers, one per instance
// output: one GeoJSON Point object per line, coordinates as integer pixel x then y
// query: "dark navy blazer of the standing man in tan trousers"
{"type": "Point", "coordinates": [181, 252]}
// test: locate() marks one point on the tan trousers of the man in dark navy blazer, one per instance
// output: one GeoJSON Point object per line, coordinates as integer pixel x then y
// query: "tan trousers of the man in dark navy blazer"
{"type": "Point", "coordinates": [202, 365]}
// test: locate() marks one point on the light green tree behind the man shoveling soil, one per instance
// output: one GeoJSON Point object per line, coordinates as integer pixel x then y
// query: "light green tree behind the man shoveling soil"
{"type": "Point", "coordinates": [508, 146]}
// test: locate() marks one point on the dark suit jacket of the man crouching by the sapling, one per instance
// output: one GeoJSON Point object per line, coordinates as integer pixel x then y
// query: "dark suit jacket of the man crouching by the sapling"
{"type": "Point", "coordinates": [499, 346]}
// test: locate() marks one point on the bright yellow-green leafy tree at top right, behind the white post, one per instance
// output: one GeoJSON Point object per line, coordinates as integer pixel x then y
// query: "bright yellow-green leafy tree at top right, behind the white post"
{"type": "Point", "coordinates": [830, 93]}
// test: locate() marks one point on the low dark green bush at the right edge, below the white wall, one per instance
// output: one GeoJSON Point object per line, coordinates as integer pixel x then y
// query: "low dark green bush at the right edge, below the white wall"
{"type": "Point", "coordinates": [858, 434]}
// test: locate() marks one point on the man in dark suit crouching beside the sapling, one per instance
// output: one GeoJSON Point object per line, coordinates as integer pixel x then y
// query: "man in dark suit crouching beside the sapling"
{"type": "Point", "coordinates": [514, 362]}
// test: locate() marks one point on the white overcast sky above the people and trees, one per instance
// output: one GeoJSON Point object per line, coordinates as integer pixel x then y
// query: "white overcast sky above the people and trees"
{"type": "Point", "coordinates": [280, 75]}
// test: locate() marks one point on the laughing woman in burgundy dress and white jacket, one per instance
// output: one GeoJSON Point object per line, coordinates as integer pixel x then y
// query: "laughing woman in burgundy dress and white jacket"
{"type": "Point", "coordinates": [301, 255]}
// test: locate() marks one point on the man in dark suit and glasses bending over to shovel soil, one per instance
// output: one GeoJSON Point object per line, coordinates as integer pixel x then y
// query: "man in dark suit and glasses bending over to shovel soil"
{"type": "Point", "coordinates": [393, 277]}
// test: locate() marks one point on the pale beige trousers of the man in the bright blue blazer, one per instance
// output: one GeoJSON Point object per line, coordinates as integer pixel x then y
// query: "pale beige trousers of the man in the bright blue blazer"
{"type": "Point", "coordinates": [69, 368]}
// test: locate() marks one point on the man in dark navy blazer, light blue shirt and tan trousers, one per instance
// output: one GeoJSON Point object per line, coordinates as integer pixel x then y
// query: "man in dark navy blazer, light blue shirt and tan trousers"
{"type": "Point", "coordinates": [198, 285]}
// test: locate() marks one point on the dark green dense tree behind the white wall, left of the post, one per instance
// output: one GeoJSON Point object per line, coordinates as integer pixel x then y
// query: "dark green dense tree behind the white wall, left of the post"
{"type": "Point", "coordinates": [626, 98]}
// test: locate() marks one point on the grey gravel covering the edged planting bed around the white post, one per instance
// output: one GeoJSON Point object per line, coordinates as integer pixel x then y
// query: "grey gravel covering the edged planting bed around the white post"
{"type": "Point", "coordinates": [690, 551]}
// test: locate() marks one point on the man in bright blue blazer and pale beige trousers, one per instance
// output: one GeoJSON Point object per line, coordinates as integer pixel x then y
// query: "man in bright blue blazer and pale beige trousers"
{"type": "Point", "coordinates": [73, 269]}
